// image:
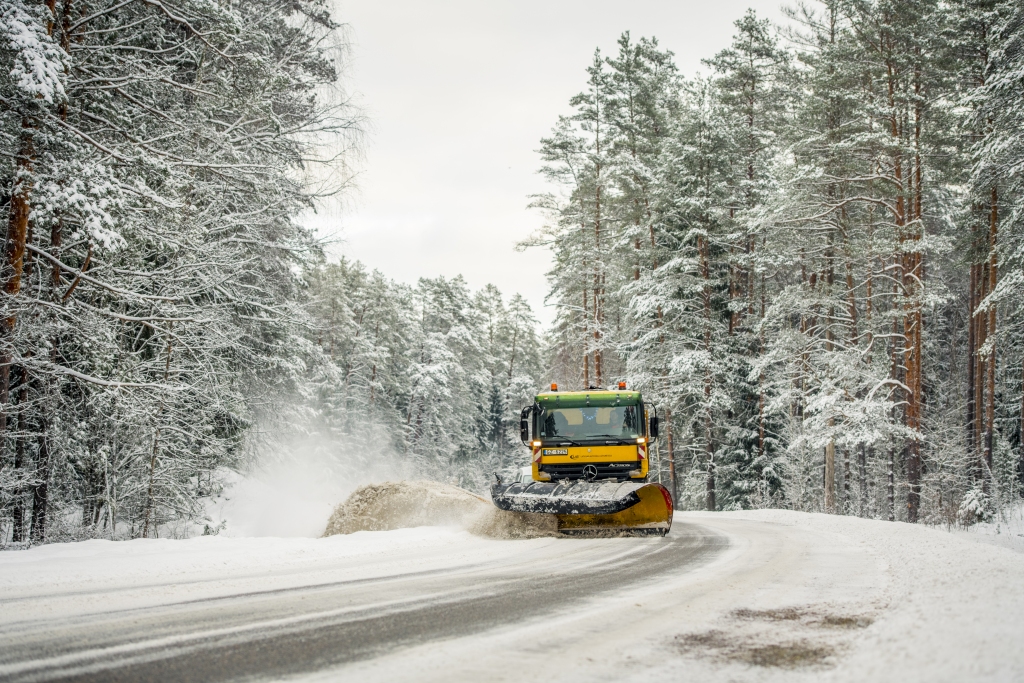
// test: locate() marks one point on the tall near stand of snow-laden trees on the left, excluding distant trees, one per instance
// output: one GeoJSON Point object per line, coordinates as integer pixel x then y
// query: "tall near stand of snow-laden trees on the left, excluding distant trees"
{"type": "Point", "coordinates": [153, 307]}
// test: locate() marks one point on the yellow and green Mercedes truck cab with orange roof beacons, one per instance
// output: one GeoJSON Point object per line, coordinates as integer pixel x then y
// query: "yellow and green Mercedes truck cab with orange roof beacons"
{"type": "Point", "coordinates": [591, 436]}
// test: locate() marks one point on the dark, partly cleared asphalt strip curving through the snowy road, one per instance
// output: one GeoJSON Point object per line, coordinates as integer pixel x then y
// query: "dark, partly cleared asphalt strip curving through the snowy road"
{"type": "Point", "coordinates": [274, 635]}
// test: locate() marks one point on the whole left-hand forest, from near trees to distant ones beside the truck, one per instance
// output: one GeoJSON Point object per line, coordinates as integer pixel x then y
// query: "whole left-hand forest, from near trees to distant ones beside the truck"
{"type": "Point", "coordinates": [166, 318]}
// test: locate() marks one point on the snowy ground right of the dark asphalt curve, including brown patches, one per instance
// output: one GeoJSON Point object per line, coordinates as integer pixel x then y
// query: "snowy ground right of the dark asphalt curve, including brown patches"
{"type": "Point", "coordinates": [797, 597]}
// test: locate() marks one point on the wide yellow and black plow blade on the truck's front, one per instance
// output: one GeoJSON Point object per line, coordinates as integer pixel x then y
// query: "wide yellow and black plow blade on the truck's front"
{"type": "Point", "coordinates": [584, 507]}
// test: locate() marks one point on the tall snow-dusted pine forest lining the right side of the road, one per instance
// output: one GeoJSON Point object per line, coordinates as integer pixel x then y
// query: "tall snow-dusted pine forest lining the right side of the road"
{"type": "Point", "coordinates": [808, 258]}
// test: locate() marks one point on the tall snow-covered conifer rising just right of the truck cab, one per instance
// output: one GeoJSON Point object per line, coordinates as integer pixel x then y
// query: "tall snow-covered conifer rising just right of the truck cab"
{"type": "Point", "coordinates": [693, 346]}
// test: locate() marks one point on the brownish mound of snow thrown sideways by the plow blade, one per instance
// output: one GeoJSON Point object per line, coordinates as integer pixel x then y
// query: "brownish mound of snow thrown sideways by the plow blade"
{"type": "Point", "coordinates": [381, 507]}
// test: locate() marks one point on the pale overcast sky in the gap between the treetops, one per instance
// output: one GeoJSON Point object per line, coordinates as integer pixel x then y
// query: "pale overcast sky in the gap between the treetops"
{"type": "Point", "coordinates": [459, 95]}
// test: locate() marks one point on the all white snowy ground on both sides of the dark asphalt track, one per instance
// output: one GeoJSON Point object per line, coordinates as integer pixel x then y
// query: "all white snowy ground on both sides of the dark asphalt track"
{"type": "Point", "coordinates": [792, 596]}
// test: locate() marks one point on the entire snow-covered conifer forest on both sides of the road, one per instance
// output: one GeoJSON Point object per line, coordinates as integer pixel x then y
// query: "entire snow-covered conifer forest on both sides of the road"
{"type": "Point", "coordinates": [809, 257]}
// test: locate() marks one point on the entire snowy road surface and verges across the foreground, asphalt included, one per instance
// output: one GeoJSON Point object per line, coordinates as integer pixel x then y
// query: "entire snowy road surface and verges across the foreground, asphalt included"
{"type": "Point", "coordinates": [753, 596]}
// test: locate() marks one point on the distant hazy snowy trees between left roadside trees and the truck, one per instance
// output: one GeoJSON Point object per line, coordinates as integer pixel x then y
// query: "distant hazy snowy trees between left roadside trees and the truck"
{"type": "Point", "coordinates": [435, 375]}
